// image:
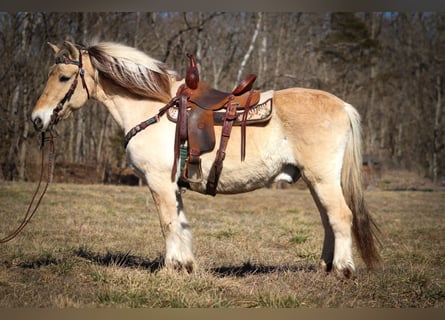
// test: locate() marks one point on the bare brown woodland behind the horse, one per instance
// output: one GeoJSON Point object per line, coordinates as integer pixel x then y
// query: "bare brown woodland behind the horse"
{"type": "Point", "coordinates": [390, 66]}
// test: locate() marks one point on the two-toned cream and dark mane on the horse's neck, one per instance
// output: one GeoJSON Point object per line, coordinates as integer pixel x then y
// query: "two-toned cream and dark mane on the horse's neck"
{"type": "Point", "coordinates": [132, 70]}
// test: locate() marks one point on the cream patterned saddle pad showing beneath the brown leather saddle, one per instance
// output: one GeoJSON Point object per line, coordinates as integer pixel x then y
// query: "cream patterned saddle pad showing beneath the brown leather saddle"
{"type": "Point", "coordinates": [260, 113]}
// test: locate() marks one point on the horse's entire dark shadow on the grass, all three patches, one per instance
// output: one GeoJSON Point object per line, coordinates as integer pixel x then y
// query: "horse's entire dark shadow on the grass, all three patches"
{"type": "Point", "coordinates": [127, 260]}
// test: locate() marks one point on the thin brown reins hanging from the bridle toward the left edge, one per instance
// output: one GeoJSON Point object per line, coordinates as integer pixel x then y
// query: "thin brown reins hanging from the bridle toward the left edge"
{"type": "Point", "coordinates": [30, 212]}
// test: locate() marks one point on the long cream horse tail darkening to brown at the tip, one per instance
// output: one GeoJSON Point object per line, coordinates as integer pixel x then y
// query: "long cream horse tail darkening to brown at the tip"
{"type": "Point", "coordinates": [364, 227]}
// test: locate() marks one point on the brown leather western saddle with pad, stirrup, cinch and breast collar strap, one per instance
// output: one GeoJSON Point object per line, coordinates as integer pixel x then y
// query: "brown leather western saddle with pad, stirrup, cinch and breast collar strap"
{"type": "Point", "coordinates": [196, 109]}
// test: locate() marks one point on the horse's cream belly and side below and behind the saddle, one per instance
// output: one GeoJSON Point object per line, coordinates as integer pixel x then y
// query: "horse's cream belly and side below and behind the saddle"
{"type": "Point", "coordinates": [268, 154]}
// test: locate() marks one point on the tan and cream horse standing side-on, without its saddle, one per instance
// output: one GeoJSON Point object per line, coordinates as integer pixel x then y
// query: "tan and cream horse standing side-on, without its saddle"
{"type": "Point", "coordinates": [312, 135]}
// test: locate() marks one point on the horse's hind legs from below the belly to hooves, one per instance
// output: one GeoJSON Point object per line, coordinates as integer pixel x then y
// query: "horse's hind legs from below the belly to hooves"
{"type": "Point", "coordinates": [337, 220]}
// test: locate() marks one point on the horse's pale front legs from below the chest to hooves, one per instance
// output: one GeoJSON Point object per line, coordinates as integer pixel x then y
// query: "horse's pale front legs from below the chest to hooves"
{"type": "Point", "coordinates": [175, 229]}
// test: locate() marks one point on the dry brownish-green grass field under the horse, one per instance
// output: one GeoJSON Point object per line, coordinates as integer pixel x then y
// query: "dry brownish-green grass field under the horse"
{"type": "Point", "coordinates": [96, 245]}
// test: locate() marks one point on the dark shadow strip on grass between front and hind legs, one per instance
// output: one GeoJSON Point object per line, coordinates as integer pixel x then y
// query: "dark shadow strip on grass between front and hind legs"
{"type": "Point", "coordinates": [250, 269]}
